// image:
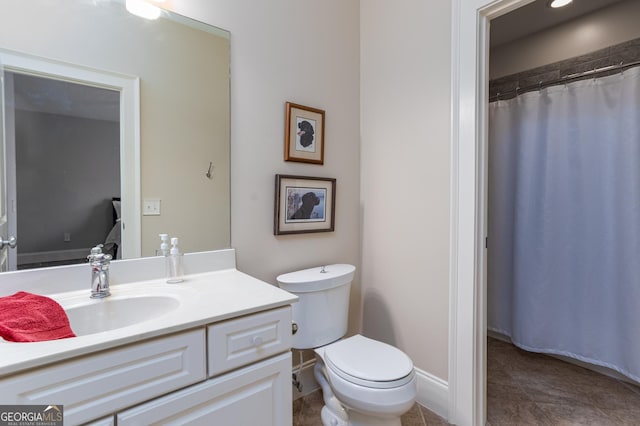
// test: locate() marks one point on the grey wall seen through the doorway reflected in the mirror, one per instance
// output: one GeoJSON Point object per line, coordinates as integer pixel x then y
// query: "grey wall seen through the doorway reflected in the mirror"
{"type": "Point", "coordinates": [55, 159]}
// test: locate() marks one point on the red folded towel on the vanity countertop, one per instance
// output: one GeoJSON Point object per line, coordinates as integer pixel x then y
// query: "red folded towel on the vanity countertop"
{"type": "Point", "coordinates": [27, 317]}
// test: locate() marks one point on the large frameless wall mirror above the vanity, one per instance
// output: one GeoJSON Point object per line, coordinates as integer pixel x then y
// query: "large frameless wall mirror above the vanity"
{"type": "Point", "coordinates": [89, 165]}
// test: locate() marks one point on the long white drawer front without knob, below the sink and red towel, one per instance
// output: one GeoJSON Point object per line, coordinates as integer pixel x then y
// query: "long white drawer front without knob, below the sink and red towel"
{"type": "Point", "coordinates": [97, 385]}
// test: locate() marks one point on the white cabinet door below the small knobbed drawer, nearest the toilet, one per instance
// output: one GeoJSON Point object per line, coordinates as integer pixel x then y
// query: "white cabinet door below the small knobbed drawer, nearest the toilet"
{"type": "Point", "coordinates": [257, 395]}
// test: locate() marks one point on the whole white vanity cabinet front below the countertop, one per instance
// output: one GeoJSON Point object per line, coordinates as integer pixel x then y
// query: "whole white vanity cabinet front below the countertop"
{"type": "Point", "coordinates": [232, 372]}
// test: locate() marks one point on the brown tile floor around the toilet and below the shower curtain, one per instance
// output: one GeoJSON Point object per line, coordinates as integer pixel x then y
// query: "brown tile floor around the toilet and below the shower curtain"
{"type": "Point", "coordinates": [525, 388]}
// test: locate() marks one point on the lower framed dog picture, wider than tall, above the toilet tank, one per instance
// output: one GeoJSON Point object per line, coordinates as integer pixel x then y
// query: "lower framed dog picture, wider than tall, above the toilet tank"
{"type": "Point", "coordinates": [304, 204]}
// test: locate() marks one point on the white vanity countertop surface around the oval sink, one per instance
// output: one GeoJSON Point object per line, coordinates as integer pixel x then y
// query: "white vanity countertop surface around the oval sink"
{"type": "Point", "coordinates": [205, 298]}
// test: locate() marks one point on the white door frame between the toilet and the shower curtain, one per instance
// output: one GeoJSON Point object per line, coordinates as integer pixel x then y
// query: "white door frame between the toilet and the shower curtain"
{"type": "Point", "coordinates": [467, 313]}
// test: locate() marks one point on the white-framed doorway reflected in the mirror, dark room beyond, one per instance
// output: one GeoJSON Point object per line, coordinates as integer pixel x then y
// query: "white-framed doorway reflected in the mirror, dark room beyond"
{"type": "Point", "coordinates": [73, 146]}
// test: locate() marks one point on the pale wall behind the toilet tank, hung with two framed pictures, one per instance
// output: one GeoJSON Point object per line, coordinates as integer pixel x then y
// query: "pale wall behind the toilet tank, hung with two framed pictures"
{"type": "Point", "coordinates": [305, 52]}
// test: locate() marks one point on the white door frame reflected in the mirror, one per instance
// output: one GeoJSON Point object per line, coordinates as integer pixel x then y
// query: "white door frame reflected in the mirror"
{"type": "Point", "coordinates": [129, 88]}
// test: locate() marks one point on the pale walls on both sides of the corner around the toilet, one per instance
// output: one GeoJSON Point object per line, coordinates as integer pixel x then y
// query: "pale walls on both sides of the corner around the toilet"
{"type": "Point", "coordinates": [403, 80]}
